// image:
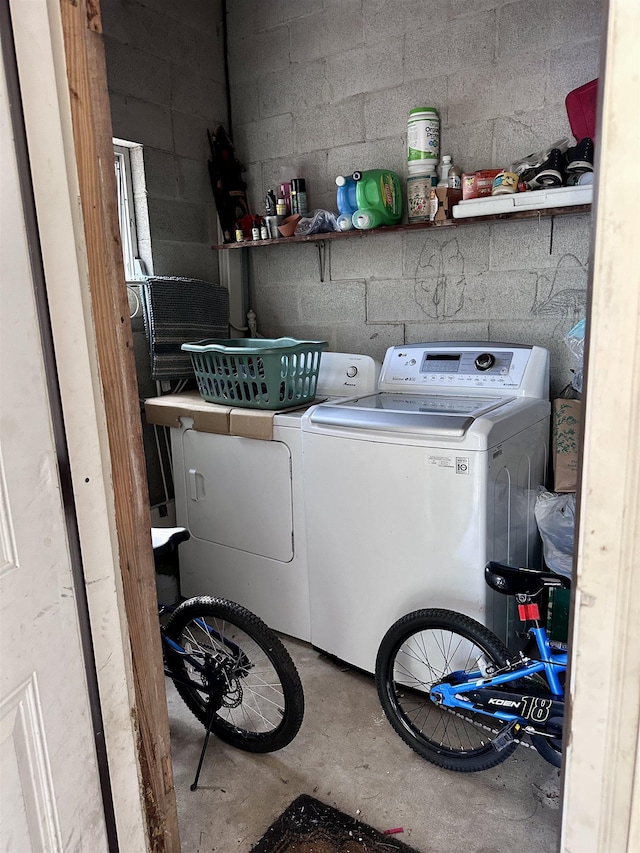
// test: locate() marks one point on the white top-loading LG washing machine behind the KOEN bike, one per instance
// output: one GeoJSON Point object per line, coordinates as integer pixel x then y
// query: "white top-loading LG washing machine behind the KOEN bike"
{"type": "Point", "coordinates": [409, 491]}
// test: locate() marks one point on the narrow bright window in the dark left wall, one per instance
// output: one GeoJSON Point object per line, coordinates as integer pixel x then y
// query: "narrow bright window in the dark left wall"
{"type": "Point", "coordinates": [132, 209]}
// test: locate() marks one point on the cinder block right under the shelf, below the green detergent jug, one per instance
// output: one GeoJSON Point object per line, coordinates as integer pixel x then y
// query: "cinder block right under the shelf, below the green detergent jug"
{"type": "Point", "coordinates": [371, 256]}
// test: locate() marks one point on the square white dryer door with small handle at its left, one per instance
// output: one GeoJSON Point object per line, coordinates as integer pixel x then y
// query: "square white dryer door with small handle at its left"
{"type": "Point", "coordinates": [239, 493]}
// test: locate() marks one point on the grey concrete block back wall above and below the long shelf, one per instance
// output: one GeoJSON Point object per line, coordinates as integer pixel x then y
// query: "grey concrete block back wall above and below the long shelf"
{"type": "Point", "coordinates": [322, 88]}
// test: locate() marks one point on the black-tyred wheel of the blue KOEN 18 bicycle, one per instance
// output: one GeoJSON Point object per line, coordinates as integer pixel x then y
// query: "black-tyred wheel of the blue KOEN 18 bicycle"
{"type": "Point", "coordinates": [420, 650]}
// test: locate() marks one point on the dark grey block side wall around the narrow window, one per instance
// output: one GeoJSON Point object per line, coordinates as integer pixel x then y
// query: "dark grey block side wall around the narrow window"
{"type": "Point", "coordinates": [165, 72]}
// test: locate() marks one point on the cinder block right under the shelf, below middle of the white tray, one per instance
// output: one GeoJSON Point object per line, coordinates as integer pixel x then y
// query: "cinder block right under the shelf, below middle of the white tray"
{"type": "Point", "coordinates": [524, 245]}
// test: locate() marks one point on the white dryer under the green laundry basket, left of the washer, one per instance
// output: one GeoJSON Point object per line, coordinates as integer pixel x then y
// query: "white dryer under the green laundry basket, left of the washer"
{"type": "Point", "coordinates": [242, 501]}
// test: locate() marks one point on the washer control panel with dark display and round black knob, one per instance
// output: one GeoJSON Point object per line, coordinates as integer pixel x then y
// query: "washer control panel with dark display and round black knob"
{"type": "Point", "coordinates": [454, 365]}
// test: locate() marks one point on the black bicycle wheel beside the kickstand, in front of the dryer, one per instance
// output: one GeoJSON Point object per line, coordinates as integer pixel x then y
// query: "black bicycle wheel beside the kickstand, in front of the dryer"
{"type": "Point", "coordinates": [250, 688]}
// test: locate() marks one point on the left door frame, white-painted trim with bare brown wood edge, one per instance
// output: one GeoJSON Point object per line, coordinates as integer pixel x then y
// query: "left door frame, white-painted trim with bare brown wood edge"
{"type": "Point", "coordinates": [61, 67]}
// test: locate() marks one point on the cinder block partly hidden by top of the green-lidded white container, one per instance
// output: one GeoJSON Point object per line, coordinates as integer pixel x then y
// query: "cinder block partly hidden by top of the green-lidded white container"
{"type": "Point", "coordinates": [386, 113]}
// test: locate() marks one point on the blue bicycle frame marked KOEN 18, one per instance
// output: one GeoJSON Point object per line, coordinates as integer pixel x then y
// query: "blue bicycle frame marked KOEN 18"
{"type": "Point", "coordinates": [552, 663]}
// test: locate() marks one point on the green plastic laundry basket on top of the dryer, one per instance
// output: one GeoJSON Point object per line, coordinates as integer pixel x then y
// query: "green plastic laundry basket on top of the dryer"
{"type": "Point", "coordinates": [256, 373]}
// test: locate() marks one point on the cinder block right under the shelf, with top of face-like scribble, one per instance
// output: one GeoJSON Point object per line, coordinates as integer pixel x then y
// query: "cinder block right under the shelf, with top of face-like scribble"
{"type": "Point", "coordinates": [449, 251]}
